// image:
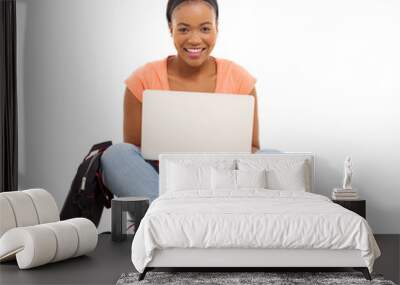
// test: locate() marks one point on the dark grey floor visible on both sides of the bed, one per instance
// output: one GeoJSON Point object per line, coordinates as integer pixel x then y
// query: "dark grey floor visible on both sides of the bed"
{"type": "Point", "coordinates": [110, 260]}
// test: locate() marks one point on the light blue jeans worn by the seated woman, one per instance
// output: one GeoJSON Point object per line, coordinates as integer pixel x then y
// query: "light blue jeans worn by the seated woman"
{"type": "Point", "coordinates": [127, 173]}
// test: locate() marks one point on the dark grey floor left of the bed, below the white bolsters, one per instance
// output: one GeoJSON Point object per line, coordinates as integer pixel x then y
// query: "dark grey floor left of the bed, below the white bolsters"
{"type": "Point", "coordinates": [102, 266]}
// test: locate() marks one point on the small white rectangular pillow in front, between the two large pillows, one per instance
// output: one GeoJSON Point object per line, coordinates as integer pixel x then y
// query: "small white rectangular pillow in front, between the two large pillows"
{"type": "Point", "coordinates": [237, 179]}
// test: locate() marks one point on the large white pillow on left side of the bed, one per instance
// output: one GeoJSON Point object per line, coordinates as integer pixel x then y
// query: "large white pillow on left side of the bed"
{"type": "Point", "coordinates": [190, 174]}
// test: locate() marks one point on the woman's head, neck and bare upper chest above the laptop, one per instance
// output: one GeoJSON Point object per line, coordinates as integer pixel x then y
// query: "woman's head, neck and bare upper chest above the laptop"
{"type": "Point", "coordinates": [194, 28]}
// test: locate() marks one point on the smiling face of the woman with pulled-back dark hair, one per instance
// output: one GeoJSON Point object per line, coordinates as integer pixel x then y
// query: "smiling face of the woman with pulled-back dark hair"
{"type": "Point", "coordinates": [194, 30]}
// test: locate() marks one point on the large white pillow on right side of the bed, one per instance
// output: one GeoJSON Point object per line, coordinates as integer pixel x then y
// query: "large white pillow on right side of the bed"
{"type": "Point", "coordinates": [282, 174]}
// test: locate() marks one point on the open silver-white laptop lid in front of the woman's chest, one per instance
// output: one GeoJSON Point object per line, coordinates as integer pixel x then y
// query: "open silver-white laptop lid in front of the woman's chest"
{"type": "Point", "coordinates": [175, 121]}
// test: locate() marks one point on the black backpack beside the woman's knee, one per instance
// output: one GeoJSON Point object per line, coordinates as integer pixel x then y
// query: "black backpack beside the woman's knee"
{"type": "Point", "coordinates": [88, 194]}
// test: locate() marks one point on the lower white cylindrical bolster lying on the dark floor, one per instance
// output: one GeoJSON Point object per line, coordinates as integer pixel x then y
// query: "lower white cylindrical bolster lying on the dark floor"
{"type": "Point", "coordinates": [40, 244]}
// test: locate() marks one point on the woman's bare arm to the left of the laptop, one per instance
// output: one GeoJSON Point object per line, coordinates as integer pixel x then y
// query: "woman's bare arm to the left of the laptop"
{"type": "Point", "coordinates": [132, 119]}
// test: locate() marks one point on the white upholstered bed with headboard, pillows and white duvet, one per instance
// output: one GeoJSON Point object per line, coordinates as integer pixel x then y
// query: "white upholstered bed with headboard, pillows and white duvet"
{"type": "Point", "coordinates": [247, 211]}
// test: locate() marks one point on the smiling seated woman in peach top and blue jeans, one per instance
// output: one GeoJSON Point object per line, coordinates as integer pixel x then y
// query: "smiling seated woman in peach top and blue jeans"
{"type": "Point", "coordinates": [193, 25]}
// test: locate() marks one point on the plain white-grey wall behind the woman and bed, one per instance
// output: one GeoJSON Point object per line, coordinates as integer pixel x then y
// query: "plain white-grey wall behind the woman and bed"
{"type": "Point", "coordinates": [328, 82]}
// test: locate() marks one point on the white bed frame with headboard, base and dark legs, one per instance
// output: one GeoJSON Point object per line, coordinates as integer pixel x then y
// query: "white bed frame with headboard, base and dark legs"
{"type": "Point", "coordinates": [249, 259]}
